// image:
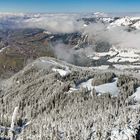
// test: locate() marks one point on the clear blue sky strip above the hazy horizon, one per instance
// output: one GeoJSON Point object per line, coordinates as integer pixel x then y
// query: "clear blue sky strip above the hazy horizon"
{"type": "Point", "coordinates": [69, 5]}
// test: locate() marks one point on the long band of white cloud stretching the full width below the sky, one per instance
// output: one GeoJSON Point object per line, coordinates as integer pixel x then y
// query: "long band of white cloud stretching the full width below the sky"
{"type": "Point", "coordinates": [67, 23]}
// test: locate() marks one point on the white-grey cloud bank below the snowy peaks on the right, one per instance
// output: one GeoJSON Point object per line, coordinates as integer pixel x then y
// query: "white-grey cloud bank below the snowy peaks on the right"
{"type": "Point", "coordinates": [116, 36]}
